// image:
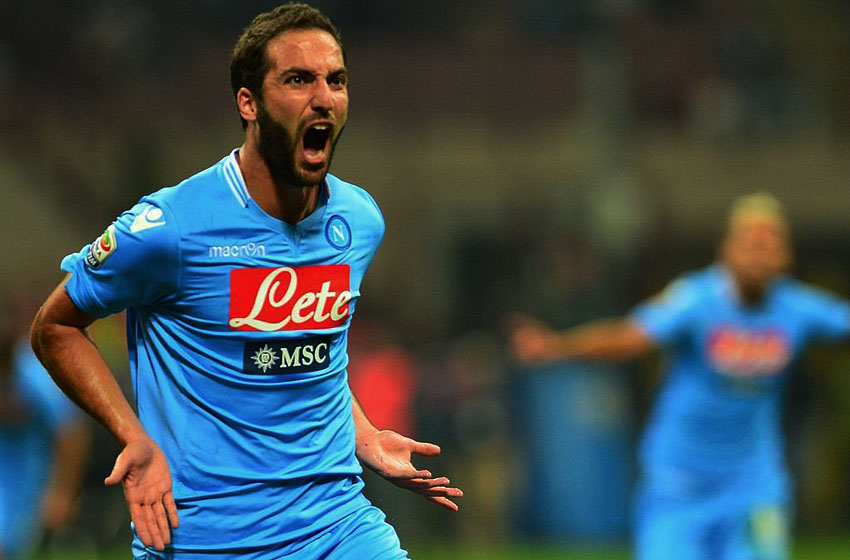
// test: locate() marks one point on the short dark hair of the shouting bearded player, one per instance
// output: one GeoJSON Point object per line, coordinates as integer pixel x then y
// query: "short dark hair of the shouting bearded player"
{"type": "Point", "coordinates": [249, 62]}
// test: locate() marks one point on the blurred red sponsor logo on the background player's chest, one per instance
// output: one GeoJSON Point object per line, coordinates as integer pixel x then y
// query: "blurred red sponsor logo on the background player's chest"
{"type": "Point", "coordinates": [744, 353]}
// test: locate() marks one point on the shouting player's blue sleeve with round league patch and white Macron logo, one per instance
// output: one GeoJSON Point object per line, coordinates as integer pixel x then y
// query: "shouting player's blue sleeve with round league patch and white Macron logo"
{"type": "Point", "coordinates": [132, 264]}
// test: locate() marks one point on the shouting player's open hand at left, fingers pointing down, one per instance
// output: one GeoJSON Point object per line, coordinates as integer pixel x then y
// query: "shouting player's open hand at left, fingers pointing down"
{"type": "Point", "coordinates": [143, 471]}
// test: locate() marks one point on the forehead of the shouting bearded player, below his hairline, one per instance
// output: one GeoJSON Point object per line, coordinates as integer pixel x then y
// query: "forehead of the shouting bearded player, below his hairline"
{"type": "Point", "coordinates": [312, 49]}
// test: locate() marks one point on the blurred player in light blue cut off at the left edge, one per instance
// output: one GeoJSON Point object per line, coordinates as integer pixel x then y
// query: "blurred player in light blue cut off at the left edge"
{"type": "Point", "coordinates": [43, 449]}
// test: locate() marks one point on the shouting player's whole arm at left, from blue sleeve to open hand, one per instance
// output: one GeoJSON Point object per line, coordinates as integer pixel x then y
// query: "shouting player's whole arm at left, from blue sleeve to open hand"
{"type": "Point", "coordinates": [133, 264]}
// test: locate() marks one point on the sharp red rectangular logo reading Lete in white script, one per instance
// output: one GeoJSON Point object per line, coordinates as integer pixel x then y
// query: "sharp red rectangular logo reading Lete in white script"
{"type": "Point", "coordinates": [289, 298]}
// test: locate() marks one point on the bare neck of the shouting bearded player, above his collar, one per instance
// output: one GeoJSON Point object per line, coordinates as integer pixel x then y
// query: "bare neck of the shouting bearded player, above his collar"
{"type": "Point", "coordinates": [289, 203]}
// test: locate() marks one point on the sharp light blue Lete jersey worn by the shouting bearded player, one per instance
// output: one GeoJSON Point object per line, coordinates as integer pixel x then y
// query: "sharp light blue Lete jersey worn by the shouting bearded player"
{"type": "Point", "coordinates": [237, 332]}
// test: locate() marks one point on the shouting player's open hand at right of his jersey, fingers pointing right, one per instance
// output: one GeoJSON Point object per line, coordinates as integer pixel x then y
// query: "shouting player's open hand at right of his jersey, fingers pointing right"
{"type": "Point", "coordinates": [388, 454]}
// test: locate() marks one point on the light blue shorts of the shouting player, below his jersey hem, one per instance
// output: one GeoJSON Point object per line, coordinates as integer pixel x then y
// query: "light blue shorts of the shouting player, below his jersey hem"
{"type": "Point", "coordinates": [364, 535]}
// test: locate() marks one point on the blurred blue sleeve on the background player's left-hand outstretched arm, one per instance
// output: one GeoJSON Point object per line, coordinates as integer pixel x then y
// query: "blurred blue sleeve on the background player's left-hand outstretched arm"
{"type": "Point", "coordinates": [666, 316]}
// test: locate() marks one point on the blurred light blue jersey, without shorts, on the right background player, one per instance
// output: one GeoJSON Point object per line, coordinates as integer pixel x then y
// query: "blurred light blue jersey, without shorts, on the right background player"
{"type": "Point", "coordinates": [718, 413]}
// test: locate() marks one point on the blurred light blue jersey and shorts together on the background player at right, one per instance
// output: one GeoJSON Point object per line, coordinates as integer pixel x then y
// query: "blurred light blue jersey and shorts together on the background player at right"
{"type": "Point", "coordinates": [712, 453]}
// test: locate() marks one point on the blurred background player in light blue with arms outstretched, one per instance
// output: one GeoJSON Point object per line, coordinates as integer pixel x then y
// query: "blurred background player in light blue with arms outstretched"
{"type": "Point", "coordinates": [714, 485]}
